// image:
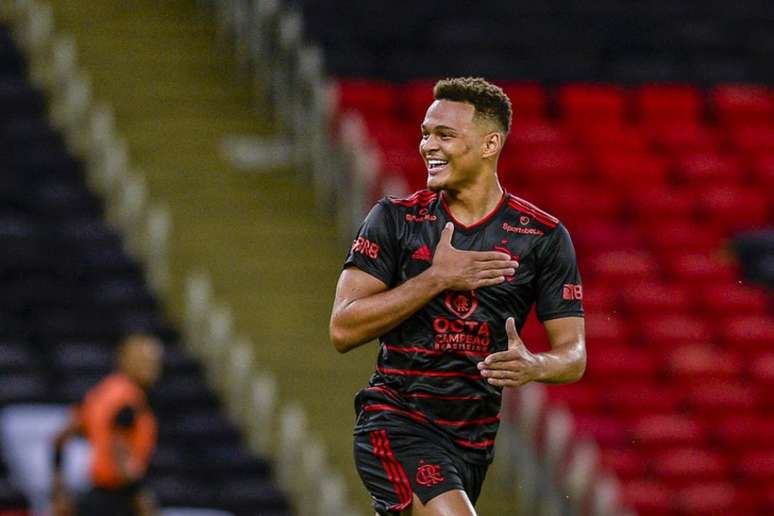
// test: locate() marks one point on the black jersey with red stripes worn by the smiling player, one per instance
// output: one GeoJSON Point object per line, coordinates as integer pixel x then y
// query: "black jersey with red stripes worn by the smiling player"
{"type": "Point", "coordinates": [426, 368]}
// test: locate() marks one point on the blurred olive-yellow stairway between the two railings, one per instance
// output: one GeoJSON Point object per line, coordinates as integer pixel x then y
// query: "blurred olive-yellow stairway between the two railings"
{"type": "Point", "coordinates": [271, 256]}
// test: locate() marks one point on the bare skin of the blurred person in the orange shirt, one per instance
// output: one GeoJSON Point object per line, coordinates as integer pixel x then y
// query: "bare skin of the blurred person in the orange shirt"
{"type": "Point", "coordinates": [139, 358]}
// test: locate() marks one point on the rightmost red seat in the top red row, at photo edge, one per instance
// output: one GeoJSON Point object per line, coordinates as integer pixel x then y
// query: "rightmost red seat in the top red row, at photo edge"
{"type": "Point", "coordinates": [742, 103]}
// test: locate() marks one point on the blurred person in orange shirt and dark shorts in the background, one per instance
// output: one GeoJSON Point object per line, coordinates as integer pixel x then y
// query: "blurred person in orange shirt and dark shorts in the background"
{"type": "Point", "coordinates": [116, 419]}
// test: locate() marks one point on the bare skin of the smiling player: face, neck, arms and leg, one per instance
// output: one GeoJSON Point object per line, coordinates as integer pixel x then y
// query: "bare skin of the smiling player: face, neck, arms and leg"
{"type": "Point", "coordinates": [460, 149]}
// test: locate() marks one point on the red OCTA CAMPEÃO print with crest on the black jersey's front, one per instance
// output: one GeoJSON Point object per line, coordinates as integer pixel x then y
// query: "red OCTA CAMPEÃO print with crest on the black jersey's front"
{"type": "Point", "coordinates": [458, 333]}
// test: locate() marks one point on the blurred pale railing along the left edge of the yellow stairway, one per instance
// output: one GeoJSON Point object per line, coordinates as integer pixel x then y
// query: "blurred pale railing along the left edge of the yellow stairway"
{"type": "Point", "coordinates": [89, 130]}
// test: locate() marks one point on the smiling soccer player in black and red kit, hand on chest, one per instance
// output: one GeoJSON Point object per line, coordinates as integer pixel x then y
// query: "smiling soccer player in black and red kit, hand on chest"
{"type": "Point", "coordinates": [444, 279]}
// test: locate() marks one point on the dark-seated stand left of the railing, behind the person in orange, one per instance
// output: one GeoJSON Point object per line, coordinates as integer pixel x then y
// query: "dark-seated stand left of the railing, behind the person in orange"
{"type": "Point", "coordinates": [69, 291]}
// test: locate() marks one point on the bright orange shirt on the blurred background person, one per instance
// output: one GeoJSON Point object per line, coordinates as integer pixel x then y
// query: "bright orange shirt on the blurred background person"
{"type": "Point", "coordinates": [98, 416]}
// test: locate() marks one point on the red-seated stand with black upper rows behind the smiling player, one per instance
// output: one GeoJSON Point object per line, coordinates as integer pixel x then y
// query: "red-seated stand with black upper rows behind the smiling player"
{"type": "Point", "coordinates": [653, 147]}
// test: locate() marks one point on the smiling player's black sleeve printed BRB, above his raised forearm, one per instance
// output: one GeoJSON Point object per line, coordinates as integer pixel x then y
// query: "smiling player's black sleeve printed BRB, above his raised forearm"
{"type": "Point", "coordinates": [374, 250]}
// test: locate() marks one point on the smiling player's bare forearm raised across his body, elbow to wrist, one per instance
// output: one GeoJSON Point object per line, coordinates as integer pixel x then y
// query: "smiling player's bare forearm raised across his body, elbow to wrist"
{"type": "Point", "coordinates": [361, 320]}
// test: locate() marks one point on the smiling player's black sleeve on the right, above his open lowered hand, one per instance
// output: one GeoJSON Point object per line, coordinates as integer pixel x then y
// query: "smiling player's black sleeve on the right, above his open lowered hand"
{"type": "Point", "coordinates": [559, 287]}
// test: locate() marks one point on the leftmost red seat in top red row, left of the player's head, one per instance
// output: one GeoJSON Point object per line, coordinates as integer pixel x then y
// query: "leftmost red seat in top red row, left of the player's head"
{"type": "Point", "coordinates": [373, 99]}
